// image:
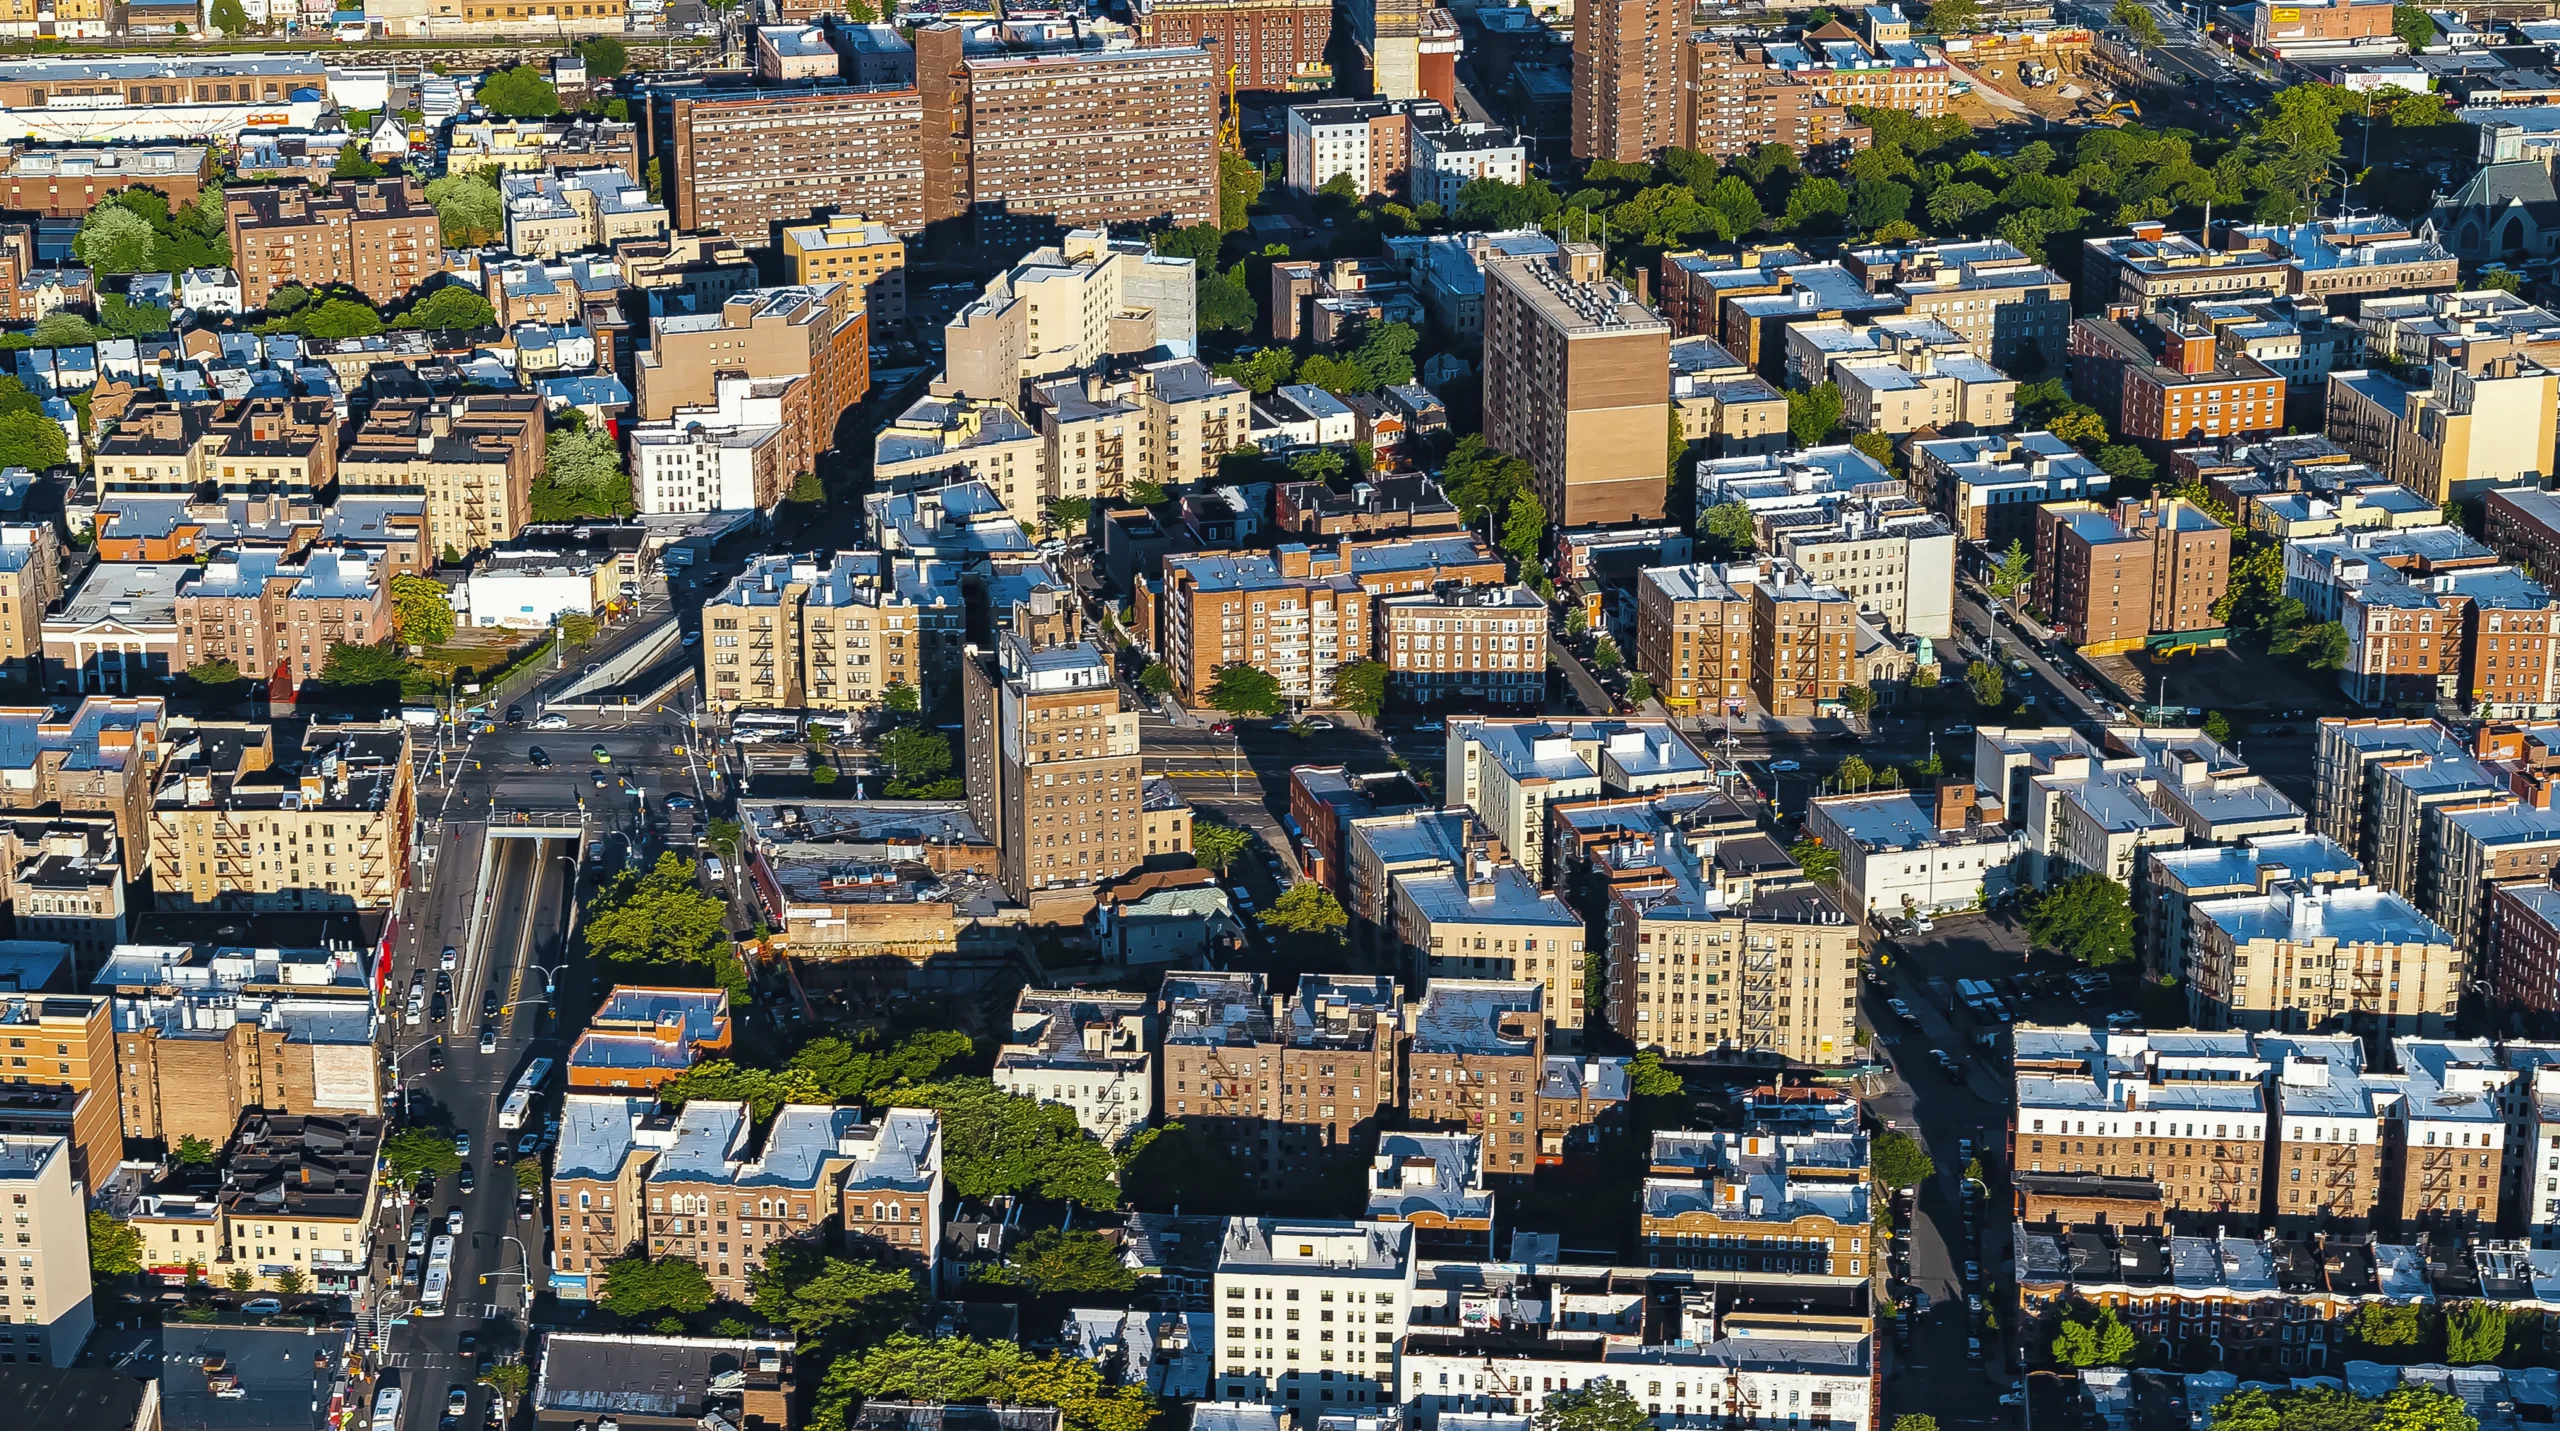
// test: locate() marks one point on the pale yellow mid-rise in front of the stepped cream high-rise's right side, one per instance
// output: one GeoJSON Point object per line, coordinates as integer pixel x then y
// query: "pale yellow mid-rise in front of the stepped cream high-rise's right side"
{"type": "Point", "coordinates": [1161, 424]}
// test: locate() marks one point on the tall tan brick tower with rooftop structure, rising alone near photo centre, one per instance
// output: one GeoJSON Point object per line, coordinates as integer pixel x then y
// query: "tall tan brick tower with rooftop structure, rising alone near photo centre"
{"type": "Point", "coordinates": [1041, 721]}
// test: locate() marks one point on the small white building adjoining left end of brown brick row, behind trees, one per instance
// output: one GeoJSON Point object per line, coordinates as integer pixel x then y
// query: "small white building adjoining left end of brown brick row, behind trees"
{"type": "Point", "coordinates": [1084, 1051]}
